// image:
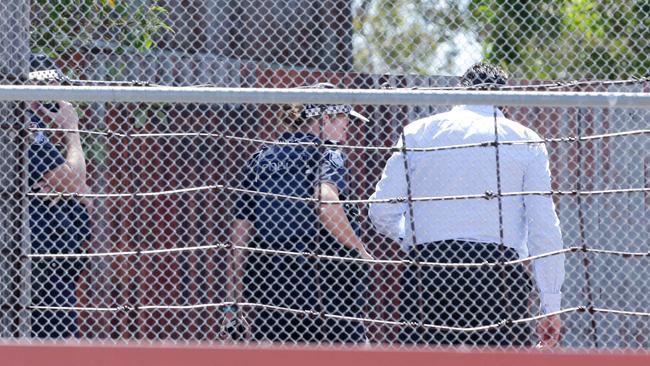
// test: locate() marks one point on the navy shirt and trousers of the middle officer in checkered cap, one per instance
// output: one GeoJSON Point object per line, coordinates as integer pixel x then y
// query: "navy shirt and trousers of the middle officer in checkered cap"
{"type": "Point", "coordinates": [283, 224]}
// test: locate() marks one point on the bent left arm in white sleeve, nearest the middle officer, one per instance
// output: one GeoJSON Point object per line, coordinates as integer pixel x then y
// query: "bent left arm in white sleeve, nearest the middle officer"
{"type": "Point", "coordinates": [389, 218]}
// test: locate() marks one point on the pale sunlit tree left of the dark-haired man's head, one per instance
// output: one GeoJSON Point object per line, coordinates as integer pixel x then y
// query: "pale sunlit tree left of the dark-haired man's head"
{"type": "Point", "coordinates": [406, 36]}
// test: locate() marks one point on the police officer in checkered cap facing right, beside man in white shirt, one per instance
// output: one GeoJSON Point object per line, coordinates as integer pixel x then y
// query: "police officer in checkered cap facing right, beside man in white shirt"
{"type": "Point", "coordinates": [305, 171]}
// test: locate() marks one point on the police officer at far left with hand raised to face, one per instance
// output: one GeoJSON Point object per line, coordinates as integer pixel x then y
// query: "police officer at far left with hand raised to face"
{"type": "Point", "coordinates": [58, 225]}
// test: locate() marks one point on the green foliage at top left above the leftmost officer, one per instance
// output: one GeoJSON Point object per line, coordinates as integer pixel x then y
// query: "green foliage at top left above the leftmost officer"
{"type": "Point", "coordinates": [59, 25]}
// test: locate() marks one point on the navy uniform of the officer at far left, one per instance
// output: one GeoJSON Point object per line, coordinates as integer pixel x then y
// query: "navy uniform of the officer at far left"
{"type": "Point", "coordinates": [61, 228]}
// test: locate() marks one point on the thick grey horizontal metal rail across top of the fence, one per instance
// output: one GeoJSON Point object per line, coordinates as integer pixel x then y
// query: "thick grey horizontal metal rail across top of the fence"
{"type": "Point", "coordinates": [362, 97]}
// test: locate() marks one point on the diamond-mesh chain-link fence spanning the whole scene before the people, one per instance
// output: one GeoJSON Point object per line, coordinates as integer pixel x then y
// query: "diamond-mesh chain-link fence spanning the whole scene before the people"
{"type": "Point", "coordinates": [135, 227]}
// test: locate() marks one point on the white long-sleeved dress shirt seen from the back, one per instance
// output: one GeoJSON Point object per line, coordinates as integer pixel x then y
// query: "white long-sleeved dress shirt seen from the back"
{"type": "Point", "coordinates": [530, 225]}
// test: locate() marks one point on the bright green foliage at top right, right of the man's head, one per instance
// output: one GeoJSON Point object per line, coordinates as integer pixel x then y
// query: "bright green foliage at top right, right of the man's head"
{"type": "Point", "coordinates": [569, 39]}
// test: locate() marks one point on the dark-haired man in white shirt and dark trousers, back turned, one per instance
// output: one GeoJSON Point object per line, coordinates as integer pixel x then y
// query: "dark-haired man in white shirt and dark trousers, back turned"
{"type": "Point", "coordinates": [472, 230]}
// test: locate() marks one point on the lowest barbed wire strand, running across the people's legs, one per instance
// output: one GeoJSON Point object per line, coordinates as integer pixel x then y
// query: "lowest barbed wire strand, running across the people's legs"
{"type": "Point", "coordinates": [313, 313]}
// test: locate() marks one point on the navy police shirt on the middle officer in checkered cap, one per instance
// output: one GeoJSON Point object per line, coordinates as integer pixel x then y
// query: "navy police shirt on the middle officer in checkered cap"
{"type": "Point", "coordinates": [293, 171]}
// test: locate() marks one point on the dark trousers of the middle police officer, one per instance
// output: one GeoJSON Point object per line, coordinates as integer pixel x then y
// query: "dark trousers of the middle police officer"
{"type": "Point", "coordinates": [300, 283]}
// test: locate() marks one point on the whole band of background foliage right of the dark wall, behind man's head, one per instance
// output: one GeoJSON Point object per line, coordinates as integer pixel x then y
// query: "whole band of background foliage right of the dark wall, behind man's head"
{"type": "Point", "coordinates": [534, 39]}
